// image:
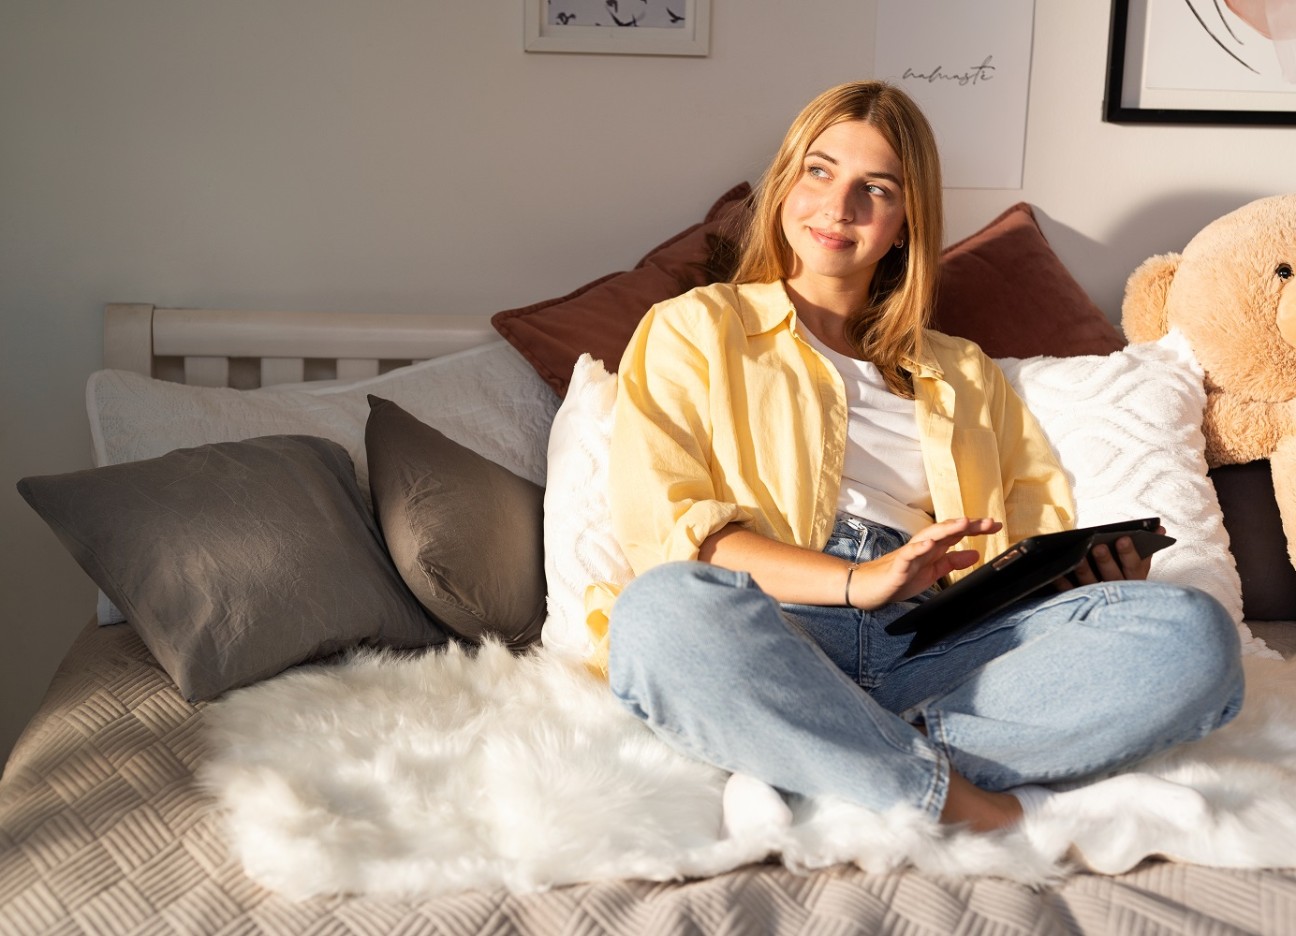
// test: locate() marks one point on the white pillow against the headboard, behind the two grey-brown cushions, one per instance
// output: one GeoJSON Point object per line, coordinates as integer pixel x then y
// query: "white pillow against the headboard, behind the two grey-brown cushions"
{"type": "Point", "coordinates": [487, 399]}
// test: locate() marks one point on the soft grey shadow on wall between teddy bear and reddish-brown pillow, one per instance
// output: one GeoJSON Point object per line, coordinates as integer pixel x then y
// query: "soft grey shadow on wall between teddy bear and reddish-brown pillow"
{"type": "Point", "coordinates": [1161, 226]}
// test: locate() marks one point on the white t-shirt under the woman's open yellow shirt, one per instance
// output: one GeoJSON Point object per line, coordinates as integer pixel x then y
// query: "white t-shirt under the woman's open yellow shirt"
{"type": "Point", "coordinates": [883, 479]}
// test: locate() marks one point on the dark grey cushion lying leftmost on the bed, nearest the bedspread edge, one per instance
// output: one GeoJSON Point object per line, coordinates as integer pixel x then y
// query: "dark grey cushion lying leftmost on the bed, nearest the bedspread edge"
{"type": "Point", "coordinates": [237, 561]}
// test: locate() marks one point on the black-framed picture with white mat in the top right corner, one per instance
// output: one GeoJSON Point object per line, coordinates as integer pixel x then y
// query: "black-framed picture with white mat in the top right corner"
{"type": "Point", "coordinates": [1202, 62]}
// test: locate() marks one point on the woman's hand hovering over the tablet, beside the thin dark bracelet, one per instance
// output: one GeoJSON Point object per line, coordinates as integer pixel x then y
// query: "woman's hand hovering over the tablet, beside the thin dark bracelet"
{"type": "Point", "coordinates": [918, 565]}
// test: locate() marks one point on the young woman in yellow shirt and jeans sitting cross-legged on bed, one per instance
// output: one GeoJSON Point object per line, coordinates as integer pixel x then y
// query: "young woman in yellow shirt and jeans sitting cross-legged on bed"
{"type": "Point", "coordinates": [798, 460]}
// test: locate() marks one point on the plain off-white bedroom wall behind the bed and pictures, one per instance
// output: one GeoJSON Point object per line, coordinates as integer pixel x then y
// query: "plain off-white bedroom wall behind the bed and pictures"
{"type": "Point", "coordinates": [408, 156]}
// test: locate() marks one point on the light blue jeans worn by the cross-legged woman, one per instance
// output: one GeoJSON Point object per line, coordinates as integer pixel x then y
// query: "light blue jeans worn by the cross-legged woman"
{"type": "Point", "coordinates": [820, 701]}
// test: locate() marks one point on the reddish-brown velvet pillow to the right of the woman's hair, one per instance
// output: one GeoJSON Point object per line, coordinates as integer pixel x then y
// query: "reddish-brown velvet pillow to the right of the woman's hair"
{"type": "Point", "coordinates": [1005, 288]}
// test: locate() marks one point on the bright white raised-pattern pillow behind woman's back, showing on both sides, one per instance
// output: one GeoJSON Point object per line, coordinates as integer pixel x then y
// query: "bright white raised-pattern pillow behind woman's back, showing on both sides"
{"type": "Point", "coordinates": [1127, 428]}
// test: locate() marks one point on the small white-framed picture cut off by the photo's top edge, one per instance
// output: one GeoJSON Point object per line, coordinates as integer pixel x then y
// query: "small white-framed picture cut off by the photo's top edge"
{"type": "Point", "coordinates": [637, 28]}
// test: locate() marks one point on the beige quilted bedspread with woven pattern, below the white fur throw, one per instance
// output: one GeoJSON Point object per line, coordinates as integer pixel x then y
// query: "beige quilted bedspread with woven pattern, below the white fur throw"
{"type": "Point", "coordinates": [103, 830]}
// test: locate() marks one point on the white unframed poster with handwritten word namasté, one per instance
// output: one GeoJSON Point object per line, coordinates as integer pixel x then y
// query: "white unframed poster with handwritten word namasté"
{"type": "Point", "coordinates": [969, 65]}
